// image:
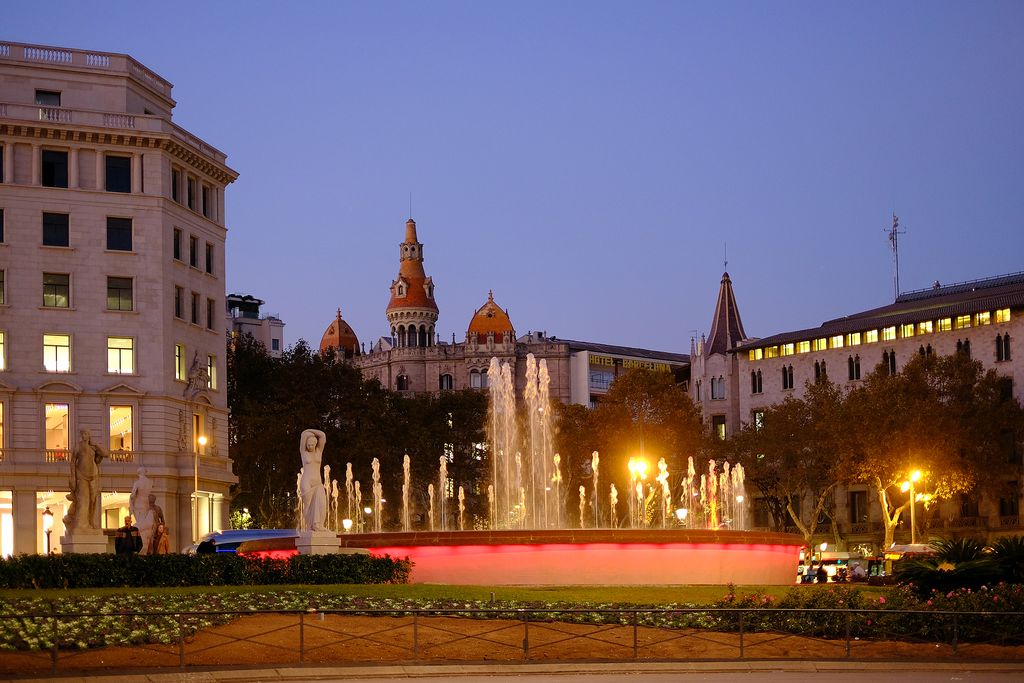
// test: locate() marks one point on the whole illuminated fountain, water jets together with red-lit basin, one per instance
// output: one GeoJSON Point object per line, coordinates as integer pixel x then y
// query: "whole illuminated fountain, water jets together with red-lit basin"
{"type": "Point", "coordinates": [696, 536]}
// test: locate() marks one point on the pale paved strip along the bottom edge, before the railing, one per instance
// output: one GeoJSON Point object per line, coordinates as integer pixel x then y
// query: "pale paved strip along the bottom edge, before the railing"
{"type": "Point", "coordinates": [709, 671]}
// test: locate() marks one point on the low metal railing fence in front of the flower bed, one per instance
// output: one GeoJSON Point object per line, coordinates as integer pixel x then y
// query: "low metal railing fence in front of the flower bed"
{"type": "Point", "coordinates": [38, 643]}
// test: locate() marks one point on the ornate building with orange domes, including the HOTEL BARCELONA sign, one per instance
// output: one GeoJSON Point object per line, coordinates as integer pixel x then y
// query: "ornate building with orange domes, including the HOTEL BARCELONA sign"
{"type": "Point", "coordinates": [413, 359]}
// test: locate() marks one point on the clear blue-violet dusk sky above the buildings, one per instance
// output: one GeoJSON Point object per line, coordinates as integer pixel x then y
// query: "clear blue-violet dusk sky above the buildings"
{"type": "Point", "coordinates": [590, 161]}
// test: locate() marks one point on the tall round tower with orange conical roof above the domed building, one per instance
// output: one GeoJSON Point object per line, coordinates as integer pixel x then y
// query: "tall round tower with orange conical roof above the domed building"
{"type": "Point", "coordinates": [412, 312]}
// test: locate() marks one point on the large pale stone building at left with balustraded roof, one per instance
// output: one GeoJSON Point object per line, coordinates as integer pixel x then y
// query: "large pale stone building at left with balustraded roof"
{"type": "Point", "coordinates": [112, 293]}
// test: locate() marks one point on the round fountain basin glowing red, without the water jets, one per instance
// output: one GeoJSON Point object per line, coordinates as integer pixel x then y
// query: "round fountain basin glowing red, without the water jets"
{"type": "Point", "coordinates": [590, 558]}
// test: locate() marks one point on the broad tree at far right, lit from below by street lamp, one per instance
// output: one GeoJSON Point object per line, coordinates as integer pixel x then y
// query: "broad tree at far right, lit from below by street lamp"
{"type": "Point", "coordinates": [944, 416]}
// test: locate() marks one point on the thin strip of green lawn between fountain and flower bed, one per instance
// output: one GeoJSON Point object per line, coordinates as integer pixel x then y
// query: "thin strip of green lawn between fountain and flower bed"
{"type": "Point", "coordinates": [643, 595]}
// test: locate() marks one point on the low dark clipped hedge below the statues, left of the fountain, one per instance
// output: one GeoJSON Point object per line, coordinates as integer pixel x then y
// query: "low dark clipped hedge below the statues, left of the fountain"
{"type": "Point", "coordinates": [78, 571]}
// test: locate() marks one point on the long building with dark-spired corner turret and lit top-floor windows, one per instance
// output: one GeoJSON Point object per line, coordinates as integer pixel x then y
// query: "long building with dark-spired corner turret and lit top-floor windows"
{"type": "Point", "coordinates": [736, 378]}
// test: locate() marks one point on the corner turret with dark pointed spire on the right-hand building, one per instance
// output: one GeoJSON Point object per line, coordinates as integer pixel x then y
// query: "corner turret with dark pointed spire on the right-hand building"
{"type": "Point", "coordinates": [715, 371]}
